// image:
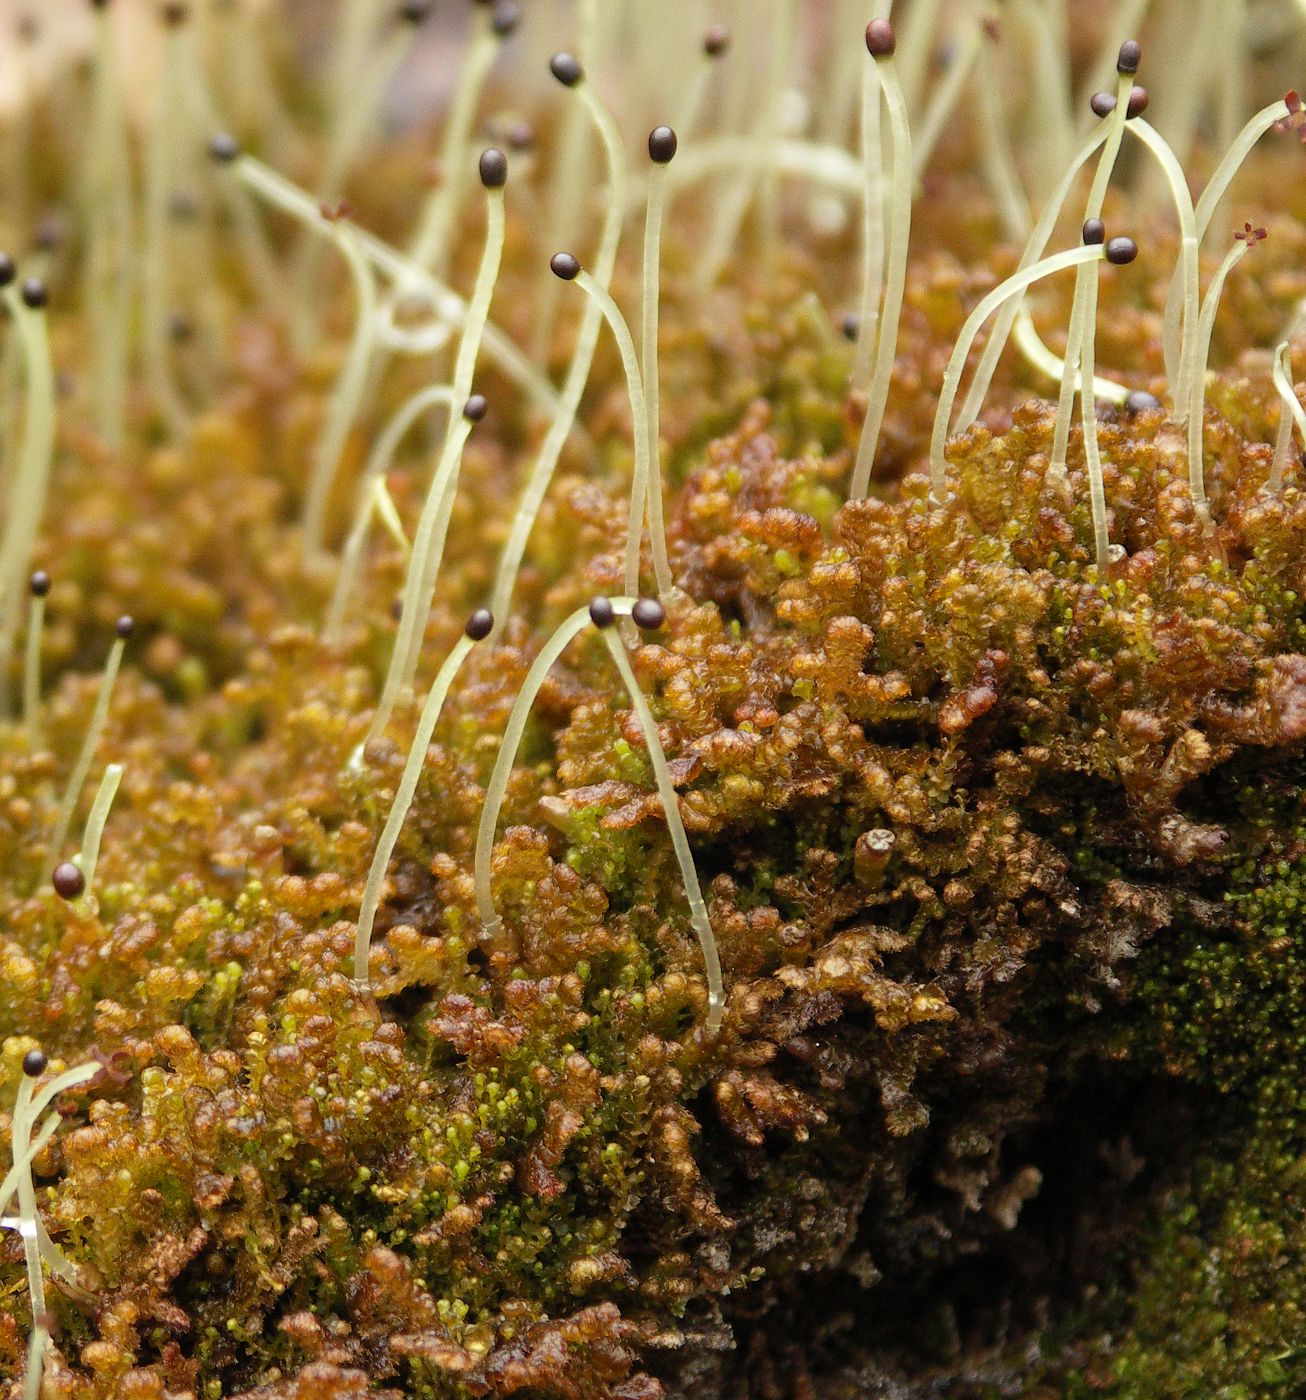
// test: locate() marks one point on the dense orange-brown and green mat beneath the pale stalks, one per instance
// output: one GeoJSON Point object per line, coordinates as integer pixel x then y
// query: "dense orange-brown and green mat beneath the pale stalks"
{"type": "Point", "coordinates": [1004, 857]}
